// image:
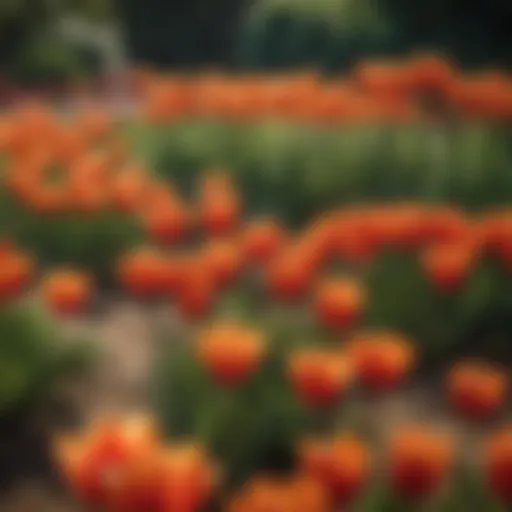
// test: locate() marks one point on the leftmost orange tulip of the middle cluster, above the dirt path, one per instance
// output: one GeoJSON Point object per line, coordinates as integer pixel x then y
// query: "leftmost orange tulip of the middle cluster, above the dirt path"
{"type": "Point", "coordinates": [142, 272]}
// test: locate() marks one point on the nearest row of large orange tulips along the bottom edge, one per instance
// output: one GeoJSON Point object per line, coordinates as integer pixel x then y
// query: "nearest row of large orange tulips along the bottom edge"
{"type": "Point", "coordinates": [126, 465]}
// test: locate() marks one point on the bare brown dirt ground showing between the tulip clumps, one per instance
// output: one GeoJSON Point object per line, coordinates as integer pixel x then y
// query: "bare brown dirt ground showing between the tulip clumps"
{"type": "Point", "coordinates": [124, 331]}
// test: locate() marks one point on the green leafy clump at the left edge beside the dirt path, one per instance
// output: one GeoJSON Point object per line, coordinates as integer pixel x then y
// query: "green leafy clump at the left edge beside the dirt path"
{"type": "Point", "coordinates": [32, 358]}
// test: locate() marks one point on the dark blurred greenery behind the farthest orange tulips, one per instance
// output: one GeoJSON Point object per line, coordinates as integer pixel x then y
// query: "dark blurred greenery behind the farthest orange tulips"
{"type": "Point", "coordinates": [51, 44]}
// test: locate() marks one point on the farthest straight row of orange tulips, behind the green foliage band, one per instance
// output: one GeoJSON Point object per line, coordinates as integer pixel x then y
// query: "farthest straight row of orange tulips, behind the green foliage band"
{"type": "Point", "coordinates": [392, 90]}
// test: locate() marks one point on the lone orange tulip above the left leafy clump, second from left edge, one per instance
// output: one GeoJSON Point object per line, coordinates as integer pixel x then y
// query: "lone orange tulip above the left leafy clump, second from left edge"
{"type": "Point", "coordinates": [66, 290]}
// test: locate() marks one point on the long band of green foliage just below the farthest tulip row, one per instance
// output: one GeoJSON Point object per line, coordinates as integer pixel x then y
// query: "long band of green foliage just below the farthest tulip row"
{"type": "Point", "coordinates": [317, 167]}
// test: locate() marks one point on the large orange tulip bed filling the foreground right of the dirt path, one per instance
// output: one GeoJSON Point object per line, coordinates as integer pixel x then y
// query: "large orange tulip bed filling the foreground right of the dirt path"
{"type": "Point", "coordinates": [284, 329]}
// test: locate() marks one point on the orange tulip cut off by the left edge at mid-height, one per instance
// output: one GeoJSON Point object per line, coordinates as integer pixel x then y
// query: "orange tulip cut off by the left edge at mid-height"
{"type": "Point", "coordinates": [16, 268]}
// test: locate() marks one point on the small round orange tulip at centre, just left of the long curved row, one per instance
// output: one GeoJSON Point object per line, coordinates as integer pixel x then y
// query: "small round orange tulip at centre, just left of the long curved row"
{"type": "Point", "coordinates": [261, 240]}
